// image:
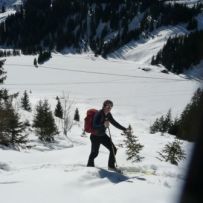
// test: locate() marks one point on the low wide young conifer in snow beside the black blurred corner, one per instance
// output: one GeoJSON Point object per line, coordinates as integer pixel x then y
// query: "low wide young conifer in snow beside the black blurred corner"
{"type": "Point", "coordinates": [172, 152]}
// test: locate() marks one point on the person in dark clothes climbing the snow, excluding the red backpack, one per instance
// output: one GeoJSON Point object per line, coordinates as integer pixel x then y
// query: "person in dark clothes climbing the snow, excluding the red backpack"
{"type": "Point", "coordinates": [101, 121]}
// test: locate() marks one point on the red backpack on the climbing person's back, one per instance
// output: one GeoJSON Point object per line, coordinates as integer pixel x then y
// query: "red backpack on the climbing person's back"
{"type": "Point", "coordinates": [88, 124]}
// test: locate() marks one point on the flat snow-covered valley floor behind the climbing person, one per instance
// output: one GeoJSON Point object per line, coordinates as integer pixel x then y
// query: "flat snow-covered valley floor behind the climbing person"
{"type": "Point", "coordinates": [91, 80]}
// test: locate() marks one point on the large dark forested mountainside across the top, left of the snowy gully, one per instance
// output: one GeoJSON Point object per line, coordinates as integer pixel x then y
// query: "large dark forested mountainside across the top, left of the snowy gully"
{"type": "Point", "coordinates": [104, 26]}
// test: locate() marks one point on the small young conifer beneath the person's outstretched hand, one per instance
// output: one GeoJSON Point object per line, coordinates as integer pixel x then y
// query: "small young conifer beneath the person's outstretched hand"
{"type": "Point", "coordinates": [132, 146]}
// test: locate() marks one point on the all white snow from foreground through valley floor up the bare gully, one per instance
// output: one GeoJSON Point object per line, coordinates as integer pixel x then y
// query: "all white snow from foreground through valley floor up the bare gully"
{"type": "Point", "coordinates": [56, 172]}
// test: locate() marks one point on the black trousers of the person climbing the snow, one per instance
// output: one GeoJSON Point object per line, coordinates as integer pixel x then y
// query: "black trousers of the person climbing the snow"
{"type": "Point", "coordinates": [107, 142]}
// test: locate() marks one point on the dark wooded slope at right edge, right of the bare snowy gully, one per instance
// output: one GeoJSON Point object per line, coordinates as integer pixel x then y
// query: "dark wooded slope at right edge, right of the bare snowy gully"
{"type": "Point", "coordinates": [181, 53]}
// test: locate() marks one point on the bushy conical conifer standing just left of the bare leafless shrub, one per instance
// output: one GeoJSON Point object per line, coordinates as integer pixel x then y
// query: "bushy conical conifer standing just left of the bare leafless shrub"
{"type": "Point", "coordinates": [44, 122]}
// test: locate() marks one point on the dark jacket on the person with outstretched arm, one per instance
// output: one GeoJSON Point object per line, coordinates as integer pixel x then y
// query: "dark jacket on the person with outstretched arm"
{"type": "Point", "coordinates": [100, 118]}
